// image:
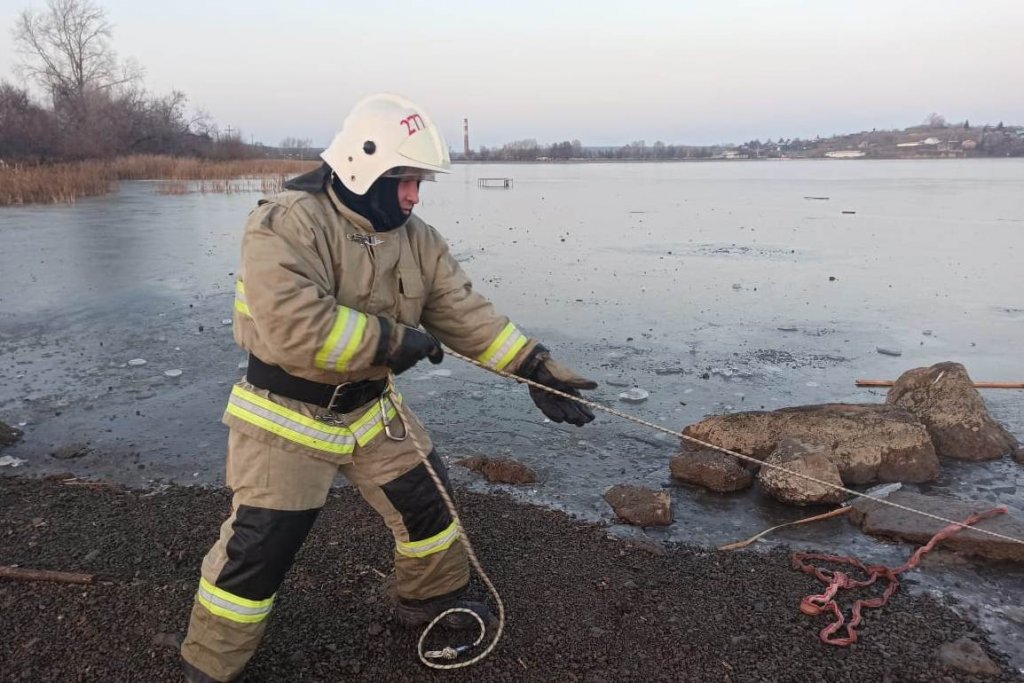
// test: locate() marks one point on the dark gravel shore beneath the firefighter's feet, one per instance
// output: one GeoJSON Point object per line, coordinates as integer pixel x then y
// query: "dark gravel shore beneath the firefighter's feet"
{"type": "Point", "coordinates": [581, 607]}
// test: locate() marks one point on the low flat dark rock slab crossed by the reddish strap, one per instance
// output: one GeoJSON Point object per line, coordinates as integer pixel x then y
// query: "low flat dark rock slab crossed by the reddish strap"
{"type": "Point", "coordinates": [881, 520]}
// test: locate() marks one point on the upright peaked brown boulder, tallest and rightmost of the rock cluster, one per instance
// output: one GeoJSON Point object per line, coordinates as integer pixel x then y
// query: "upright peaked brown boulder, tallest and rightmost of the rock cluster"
{"type": "Point", "coordinates": [945, 400]}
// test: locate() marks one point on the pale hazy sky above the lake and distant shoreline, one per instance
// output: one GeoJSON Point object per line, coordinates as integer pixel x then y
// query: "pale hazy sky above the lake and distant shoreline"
{"type": "Point", "coordinates": [607, 73]}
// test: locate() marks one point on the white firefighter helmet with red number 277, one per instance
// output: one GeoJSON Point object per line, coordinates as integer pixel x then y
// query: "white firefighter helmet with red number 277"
{"type": "Point", "coordinates": [383, 135]}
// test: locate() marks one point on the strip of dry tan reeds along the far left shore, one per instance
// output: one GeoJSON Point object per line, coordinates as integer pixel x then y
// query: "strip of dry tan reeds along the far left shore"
{"type": "Point", "coordinates": [66, 183]}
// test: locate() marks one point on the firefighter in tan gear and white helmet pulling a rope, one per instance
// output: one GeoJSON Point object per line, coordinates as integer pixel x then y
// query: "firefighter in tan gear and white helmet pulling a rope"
{"type": "Point", "coordinates": [337, 277]}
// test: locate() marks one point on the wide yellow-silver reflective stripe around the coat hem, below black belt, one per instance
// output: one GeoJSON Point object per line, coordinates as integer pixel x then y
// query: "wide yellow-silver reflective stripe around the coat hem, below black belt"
{"type": "Point", "coordinates": [305, 431]}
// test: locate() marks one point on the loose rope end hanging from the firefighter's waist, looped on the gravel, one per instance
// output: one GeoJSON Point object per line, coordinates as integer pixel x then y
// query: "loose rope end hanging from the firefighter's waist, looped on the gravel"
{"type": "Point", "coordinates": [451, 653]}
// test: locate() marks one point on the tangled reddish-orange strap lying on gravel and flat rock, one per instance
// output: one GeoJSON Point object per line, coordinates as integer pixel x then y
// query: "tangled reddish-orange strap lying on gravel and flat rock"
{"type": "Point", "coordinates": [837, 581]}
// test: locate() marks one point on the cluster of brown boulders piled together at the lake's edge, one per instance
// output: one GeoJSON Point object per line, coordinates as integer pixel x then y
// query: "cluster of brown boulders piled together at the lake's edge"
{"type": "Point", "coordinates": [929, 413]}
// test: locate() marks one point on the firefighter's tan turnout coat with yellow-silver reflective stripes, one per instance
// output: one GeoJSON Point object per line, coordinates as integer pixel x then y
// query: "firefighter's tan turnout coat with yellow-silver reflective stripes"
{"type": "Point", "coordinates": [315, 277]}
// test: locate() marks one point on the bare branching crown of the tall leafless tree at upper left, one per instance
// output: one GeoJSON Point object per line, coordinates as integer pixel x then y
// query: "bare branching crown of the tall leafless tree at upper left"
{"type": "Point", "coordinates": [66, 50]}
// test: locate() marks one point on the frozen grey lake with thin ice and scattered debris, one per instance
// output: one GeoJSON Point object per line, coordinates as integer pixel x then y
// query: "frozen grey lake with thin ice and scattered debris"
{"type": "Point", "coordinates": [776, 280]}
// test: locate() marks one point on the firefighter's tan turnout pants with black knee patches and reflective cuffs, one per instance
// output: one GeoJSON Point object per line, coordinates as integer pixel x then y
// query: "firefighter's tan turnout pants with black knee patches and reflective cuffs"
{"type": "Point", "coordinates": [277, 497]}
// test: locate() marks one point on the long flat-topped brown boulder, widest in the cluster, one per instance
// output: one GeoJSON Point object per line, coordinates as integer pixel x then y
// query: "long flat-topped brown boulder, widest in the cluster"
{"type": "Point", "coordinates": [868, 443]}
